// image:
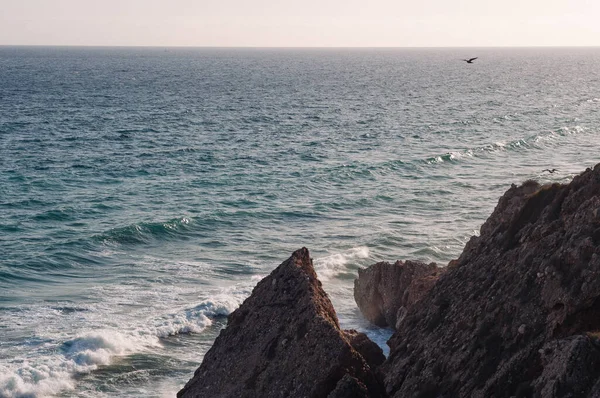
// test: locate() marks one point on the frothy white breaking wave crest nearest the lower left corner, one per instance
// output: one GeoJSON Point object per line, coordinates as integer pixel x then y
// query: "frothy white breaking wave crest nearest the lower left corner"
{"type": "Point", "coordinates": [58, 365]}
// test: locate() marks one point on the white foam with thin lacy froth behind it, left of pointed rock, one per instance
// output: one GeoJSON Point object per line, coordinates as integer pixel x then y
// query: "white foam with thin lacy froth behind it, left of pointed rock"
{"type": "Point", "coordinates": [62, 355]}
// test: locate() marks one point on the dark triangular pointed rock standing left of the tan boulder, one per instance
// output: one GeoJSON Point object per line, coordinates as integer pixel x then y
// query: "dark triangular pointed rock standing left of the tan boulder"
{"type": "Point", "coordinates": [285, 341]}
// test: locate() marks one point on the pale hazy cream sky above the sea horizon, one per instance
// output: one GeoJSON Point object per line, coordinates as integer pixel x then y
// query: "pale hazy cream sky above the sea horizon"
{"type": "Point", "coordinates": [321, 23]}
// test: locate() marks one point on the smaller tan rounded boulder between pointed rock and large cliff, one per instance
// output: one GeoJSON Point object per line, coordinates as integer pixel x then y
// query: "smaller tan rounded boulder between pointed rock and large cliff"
{"type": "Point", "coordinates": [384, 292]}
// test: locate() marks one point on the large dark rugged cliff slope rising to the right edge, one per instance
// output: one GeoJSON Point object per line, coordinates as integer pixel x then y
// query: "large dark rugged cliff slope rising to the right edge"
{"type": "Point", "coordinates": [518, 312]}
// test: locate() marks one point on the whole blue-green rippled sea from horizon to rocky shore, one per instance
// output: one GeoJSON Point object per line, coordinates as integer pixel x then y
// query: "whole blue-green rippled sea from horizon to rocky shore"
{"type": "Point", "coordinates": [143, 192]}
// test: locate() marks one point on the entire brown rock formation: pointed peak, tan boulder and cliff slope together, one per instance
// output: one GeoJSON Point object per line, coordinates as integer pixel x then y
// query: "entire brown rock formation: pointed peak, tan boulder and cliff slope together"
{"type": "Point", "coordinates": [516, 315]}
